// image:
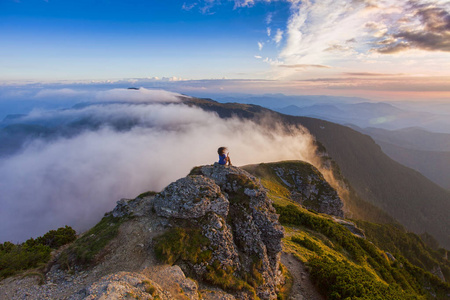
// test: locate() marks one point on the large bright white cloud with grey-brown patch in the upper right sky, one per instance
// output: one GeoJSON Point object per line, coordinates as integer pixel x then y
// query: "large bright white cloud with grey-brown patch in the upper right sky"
{"type": "Point", "coordinates": [363, 33]}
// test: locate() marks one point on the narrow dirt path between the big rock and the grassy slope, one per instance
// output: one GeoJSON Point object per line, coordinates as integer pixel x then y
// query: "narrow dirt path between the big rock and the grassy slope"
{"type": "Point", "coordinates": [302, 288]}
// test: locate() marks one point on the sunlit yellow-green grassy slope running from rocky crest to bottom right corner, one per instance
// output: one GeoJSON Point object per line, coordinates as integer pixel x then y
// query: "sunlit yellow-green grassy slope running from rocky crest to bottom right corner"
{"type": "Point", "coordinates": [344, 265]}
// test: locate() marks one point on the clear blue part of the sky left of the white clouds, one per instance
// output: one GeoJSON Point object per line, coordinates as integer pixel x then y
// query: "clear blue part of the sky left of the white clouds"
{"type": "Point", "coordinates": [116, 39]}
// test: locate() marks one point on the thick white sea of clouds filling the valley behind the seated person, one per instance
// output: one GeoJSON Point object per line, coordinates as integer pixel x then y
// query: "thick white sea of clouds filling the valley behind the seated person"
{"type": "Point", "coordinates": [142, 140]}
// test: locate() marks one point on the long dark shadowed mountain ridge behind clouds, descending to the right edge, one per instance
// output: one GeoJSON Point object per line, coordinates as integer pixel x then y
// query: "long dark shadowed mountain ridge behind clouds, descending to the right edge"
{"type": "Point", "coordinates": [405, 194]}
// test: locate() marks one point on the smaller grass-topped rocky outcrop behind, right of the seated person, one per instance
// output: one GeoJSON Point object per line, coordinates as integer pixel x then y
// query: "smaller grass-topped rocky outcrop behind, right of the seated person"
{"type": "Point", "coordinates": [306, 185]}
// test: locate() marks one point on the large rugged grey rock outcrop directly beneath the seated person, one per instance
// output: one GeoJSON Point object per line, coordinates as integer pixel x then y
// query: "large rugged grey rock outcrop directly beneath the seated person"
{"type": "Point", "coordinates": [233, 212]}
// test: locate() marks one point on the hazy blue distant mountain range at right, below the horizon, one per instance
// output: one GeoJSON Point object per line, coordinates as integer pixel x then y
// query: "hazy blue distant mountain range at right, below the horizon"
{"type": "Point", "coordinates": [352, 110]}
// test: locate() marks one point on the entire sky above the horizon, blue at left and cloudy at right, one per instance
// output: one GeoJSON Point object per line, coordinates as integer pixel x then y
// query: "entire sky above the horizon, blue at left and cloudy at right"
{"type": "Point", "coordinates": [393, 49]}
